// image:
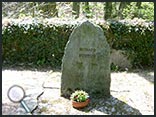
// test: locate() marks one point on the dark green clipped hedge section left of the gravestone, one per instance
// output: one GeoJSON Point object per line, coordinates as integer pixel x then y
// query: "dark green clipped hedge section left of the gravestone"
{"type": "Point", "coordinates": [38, 44]}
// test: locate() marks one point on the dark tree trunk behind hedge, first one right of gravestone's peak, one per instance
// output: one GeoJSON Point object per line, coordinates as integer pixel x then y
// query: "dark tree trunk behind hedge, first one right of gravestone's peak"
{"type": "Point", "coordinates": [107, 10]}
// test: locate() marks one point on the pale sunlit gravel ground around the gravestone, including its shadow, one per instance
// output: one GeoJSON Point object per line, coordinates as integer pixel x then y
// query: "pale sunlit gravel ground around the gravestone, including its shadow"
{"type": "Point", "coordinates": [132, 93]}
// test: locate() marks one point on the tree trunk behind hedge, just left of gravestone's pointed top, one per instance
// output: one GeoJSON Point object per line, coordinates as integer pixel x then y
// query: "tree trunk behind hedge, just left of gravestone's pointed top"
{"type": "Point", "coordinates": [76, 9]}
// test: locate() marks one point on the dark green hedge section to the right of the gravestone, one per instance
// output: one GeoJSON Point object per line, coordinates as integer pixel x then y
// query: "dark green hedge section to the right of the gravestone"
{"type": "Point", "coordinates": [137, 39]}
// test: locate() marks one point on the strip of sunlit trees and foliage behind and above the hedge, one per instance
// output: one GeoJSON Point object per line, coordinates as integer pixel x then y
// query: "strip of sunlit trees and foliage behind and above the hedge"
{"type": "Point", "coordinates": [69, 10]}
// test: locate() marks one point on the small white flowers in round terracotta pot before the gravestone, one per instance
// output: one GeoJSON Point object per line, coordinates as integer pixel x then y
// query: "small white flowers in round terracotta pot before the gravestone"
{"type": "Point", "coordinates": [80, 99]}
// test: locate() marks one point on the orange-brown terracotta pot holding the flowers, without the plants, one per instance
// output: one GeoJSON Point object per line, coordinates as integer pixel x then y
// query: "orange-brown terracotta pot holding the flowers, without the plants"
{"type": "Point", "coordinates": [80, 104]}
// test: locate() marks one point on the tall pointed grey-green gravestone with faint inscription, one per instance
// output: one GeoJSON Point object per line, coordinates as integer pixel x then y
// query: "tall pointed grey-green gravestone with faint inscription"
{"type": "Point", "coordinates": [86, 62]}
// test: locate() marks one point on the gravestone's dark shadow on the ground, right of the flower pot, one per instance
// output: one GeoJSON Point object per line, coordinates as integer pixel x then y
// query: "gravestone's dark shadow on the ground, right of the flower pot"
{"type": "Point", "coordinates": [111, 106]}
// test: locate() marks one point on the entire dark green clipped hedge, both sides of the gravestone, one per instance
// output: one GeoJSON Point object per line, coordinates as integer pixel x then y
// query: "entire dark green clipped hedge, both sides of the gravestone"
{"type": "Point", "coordinates": [41, 43]}
